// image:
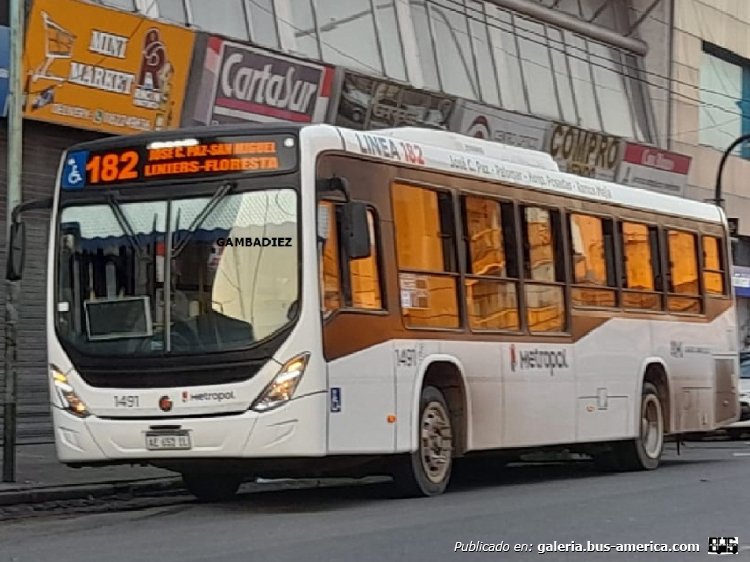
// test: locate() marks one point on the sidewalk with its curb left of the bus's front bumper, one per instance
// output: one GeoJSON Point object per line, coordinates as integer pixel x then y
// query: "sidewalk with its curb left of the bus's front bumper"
{"type": "Point", "coordinates": [40, 477]}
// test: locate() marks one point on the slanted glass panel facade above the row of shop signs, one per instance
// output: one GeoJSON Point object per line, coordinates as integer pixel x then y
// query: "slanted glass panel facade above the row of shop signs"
{"type": "Point", "coordinates": [471, 49]}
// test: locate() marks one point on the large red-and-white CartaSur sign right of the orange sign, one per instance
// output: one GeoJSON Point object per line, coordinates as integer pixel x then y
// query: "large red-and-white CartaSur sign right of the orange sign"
{"type": "Point", "coordinates": [240, 84]}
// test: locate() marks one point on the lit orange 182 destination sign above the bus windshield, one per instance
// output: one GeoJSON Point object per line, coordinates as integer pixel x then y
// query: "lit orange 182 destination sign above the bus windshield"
{"type": "Point", "coordinates": [179, 159]}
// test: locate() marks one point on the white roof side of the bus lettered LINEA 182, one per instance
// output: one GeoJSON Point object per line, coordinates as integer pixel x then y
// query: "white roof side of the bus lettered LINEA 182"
{"type": "Point", "coordinates": [454, 153]}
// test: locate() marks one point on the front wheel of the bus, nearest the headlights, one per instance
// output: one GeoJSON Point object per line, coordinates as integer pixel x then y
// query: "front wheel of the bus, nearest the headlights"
{"type": "Point", "coordinates": [427, 471]}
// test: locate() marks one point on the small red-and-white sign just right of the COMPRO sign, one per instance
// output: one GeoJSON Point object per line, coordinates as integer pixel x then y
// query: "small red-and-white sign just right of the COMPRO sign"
{"type": "Point", "coordinates": [654, 169]}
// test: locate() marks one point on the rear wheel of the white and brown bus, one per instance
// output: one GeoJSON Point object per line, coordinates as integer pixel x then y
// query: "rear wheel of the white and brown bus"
{"type": "Point", "coordinates": [644, 452]}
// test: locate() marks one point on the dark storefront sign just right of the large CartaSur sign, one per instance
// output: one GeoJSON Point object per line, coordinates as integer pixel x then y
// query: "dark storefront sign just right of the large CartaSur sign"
{"type": "Point", "coordinates": [366, 103]}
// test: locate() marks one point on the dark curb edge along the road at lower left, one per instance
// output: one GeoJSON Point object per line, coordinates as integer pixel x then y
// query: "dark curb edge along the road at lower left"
{"type": "Point", "coordinates": [85, 491]}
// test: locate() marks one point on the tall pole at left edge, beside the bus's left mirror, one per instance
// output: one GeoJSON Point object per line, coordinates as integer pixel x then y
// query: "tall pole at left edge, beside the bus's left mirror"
{"type": "Point", "coordinates": [13, 198]}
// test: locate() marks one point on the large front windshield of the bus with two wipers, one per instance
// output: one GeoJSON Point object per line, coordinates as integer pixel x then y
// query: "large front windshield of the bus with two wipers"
{"type": "Point", "coordinates": [228, 263]}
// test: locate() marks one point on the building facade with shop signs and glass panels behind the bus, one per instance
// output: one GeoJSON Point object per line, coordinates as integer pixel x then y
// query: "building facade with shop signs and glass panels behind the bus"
{"type": "Point", "coordinates": [592, 82]}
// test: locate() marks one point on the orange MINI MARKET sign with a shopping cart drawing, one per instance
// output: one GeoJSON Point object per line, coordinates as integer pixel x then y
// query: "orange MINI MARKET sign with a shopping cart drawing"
{"type": "Point", "coordinates": [97, 68]}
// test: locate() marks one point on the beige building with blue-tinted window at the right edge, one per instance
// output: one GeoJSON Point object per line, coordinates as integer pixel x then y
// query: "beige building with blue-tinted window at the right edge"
{"type": "Point", "coordinates": [710, 109]}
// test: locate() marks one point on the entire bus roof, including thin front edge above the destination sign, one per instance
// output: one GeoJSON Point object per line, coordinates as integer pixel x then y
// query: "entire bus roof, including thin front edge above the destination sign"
{"type": "Point", "coordinates": [452, 153]}
